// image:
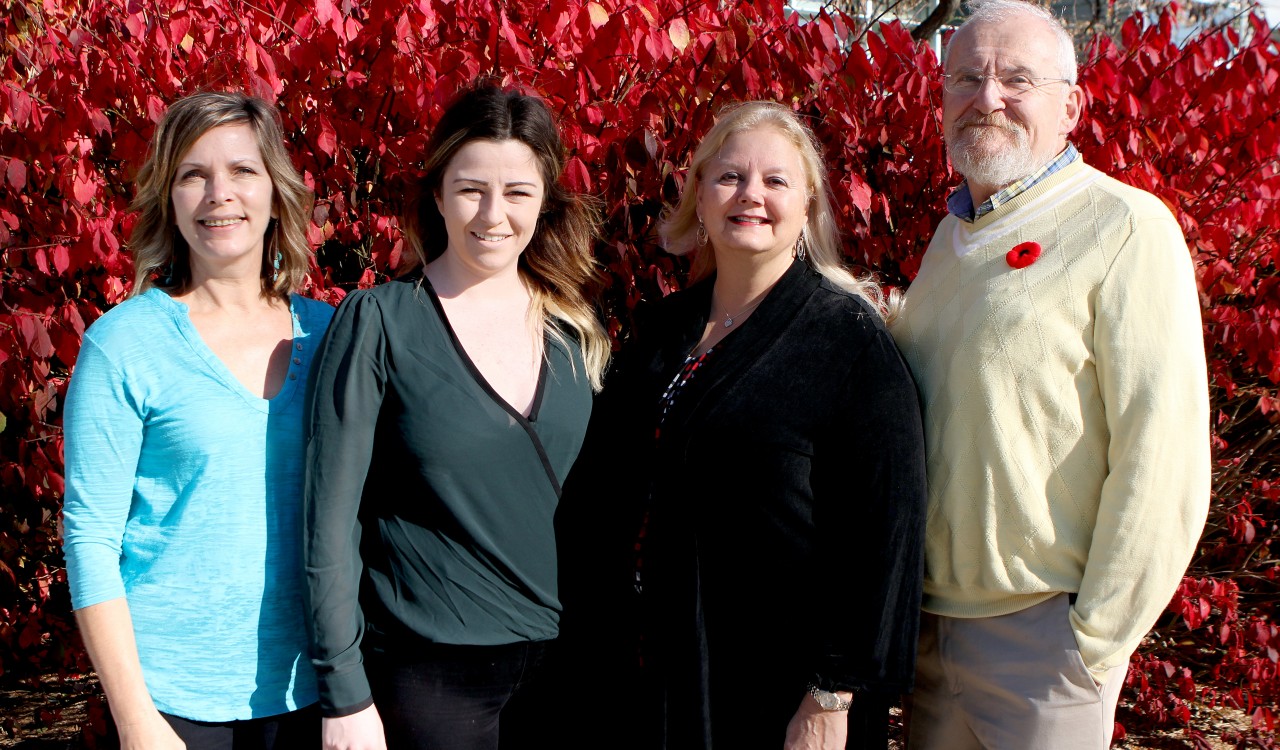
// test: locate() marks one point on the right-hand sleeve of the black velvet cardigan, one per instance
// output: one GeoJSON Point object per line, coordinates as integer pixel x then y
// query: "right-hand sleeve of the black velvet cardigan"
{"type": "Point", "coordinates": [874, 531]}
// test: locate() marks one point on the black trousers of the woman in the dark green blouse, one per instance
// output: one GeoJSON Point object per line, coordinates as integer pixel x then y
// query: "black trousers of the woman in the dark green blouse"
{"type": "Point", "coordinates": [438, 697]}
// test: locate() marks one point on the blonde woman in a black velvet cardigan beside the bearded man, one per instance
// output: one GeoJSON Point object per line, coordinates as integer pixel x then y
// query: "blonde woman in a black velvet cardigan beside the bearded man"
{"type": "Point", "coordinates": [774, 523]}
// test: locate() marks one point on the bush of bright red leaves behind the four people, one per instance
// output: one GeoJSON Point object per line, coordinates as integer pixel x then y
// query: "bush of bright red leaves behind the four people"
{"type": "Point", "coordinates": [636, 84]}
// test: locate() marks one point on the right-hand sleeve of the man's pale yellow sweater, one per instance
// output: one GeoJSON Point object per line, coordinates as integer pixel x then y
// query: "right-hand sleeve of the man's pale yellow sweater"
{"type": "Point", "coordinates": [1150, 358]}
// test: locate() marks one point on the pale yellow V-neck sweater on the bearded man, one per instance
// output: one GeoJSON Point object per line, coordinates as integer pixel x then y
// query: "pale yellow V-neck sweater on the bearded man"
{"type": "Point", "coordinates": [1066, 410]}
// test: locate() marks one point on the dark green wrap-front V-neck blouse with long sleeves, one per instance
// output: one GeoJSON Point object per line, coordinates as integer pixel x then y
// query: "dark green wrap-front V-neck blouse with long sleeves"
{"type": "Point", "coordinates": [429, 501]}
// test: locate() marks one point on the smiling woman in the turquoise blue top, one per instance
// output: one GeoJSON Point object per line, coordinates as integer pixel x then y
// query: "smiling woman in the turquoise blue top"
{"type": "Point", "coordinates": [185, 445]}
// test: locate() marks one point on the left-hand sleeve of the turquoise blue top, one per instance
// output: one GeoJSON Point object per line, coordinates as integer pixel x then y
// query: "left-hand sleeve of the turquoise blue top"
{"type": "Point", "coordinates": [103, 429]}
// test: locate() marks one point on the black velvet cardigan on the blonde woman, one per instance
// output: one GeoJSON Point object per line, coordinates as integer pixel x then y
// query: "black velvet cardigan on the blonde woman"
{"type": "Point", "coordinates": [785, 505]}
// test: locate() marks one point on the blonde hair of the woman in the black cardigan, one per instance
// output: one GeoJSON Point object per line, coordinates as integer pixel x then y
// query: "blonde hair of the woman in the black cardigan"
{"type": "Point", "coordinates": [679, 227]}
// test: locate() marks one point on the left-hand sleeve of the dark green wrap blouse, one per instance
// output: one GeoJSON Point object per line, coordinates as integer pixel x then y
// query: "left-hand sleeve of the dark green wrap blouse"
{"type": "Point", "coordinates": [344, 401]}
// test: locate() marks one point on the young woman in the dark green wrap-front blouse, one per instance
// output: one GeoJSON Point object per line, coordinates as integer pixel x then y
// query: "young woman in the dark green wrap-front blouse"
{"type": "Point", "coordinates": [447, 408]}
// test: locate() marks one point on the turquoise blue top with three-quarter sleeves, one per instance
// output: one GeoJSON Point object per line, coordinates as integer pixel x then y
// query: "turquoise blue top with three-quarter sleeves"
{"type": "Point", "coordinates": [184, 496]}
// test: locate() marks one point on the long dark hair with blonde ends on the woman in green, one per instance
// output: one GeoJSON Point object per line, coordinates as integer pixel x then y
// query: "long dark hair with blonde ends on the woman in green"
{"type": "Point", "coordinates": [557, 267]}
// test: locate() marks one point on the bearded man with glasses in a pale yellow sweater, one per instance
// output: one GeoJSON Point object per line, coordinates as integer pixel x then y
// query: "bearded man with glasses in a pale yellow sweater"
{"type": "Point", "coordinates": [1055, 335]}
